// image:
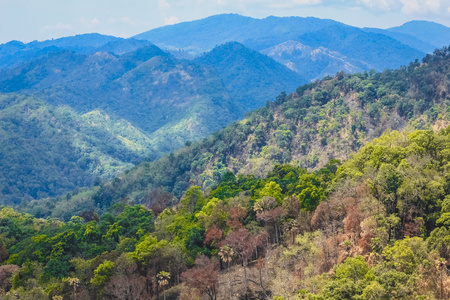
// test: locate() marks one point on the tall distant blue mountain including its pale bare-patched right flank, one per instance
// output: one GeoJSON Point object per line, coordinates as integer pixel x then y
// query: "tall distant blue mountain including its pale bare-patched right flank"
{"type": "Point", "coordinates": [338, 45]}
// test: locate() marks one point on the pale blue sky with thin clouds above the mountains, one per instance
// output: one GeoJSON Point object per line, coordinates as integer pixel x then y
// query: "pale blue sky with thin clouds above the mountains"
{"type": "Point", "coordinates": [28, 20]}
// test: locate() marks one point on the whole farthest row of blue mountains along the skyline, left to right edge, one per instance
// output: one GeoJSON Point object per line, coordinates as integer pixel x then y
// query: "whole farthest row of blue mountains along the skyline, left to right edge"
{"type": "Point", "coordinates": [357, 47]}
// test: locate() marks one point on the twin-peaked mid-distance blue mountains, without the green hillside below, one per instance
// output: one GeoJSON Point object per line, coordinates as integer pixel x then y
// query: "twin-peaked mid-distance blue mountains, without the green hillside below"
{"type": "Point", "coordinates": [173, 100]}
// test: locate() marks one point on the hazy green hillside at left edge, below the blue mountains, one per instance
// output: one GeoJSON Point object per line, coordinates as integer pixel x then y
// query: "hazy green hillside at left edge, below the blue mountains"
{"type": "Point", "coordinates": [47, 150]}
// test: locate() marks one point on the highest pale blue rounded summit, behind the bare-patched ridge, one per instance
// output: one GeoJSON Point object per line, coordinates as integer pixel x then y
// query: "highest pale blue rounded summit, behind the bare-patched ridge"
{"type": "Point", "coordinates": [203, 35]}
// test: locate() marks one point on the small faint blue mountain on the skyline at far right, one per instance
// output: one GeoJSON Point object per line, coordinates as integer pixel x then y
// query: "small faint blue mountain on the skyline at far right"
{"type": "Point", "coordinates": [433, 33]}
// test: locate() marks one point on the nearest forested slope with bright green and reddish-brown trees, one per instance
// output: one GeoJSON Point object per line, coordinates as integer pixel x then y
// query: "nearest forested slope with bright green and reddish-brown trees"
{"type": "Point", "coordinates": [375, 227]}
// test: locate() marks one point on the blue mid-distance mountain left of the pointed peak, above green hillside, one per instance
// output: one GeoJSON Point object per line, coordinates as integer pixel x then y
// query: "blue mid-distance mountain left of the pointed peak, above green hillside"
{"type": "Point", "coordinates": [147, 87]}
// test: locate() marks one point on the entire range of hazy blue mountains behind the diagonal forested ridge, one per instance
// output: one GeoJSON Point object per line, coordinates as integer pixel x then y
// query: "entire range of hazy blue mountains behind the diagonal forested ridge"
{"type": "Point", "coordinates": [236, 65]}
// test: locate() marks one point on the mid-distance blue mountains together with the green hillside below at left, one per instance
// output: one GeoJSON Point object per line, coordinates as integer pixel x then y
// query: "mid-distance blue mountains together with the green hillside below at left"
{"type": "Point", "coordinates": [166, 101]}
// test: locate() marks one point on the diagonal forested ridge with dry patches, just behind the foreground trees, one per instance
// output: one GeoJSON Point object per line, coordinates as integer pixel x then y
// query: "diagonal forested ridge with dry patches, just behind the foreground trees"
{"type": "Point", "coordinates": [328, 119]}
